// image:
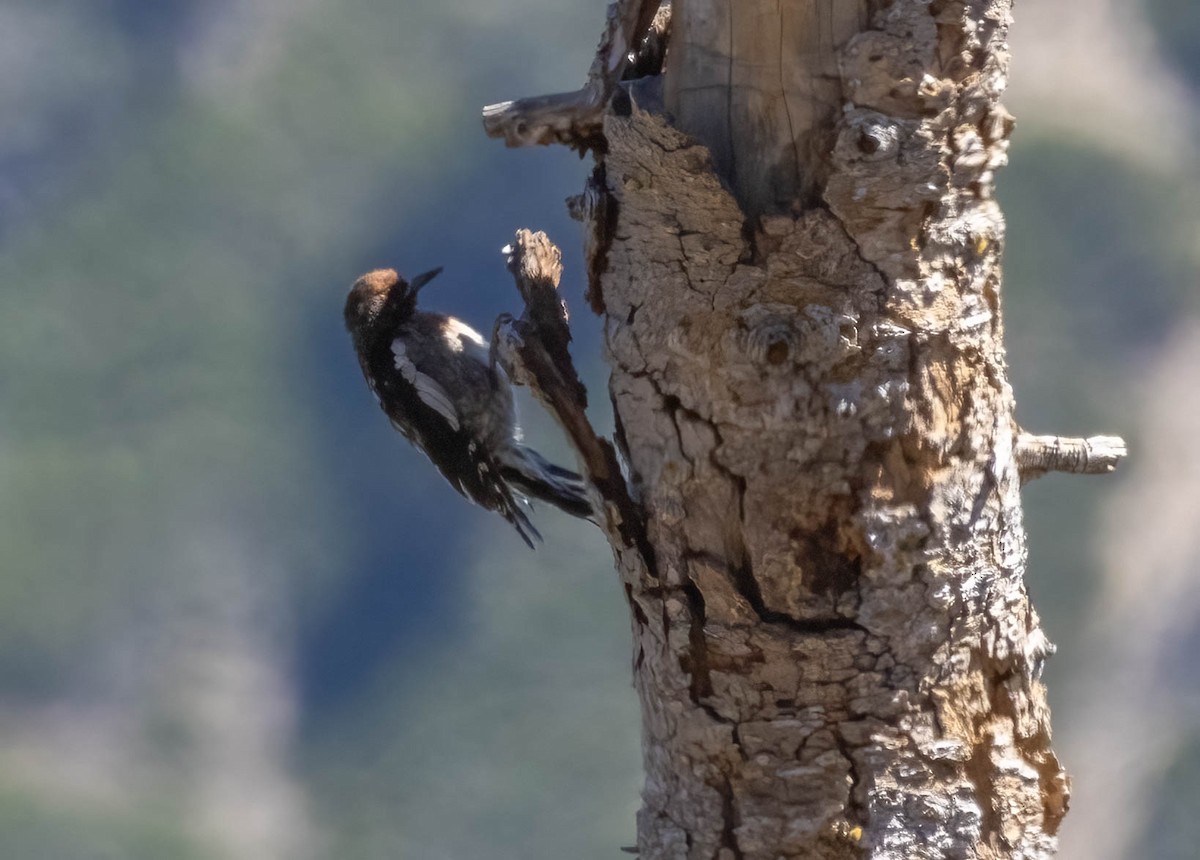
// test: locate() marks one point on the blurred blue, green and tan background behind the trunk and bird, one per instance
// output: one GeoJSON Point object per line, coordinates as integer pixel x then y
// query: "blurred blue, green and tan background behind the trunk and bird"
{"type": "Point", "coordinates": [242, 621]}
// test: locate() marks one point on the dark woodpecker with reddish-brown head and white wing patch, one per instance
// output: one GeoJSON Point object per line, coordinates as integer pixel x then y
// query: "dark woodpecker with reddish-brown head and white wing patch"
{"type": "Point", "coordinates": [437, 383]}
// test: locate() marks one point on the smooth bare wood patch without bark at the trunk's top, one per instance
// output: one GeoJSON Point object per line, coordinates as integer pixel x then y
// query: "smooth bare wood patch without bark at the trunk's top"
{"type": "Point", "coordinates": [758, 83]}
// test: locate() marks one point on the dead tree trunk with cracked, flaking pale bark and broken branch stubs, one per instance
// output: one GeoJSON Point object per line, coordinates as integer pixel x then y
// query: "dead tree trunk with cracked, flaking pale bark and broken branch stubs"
{"type": "Point", "coordinates": [796, 250]}
